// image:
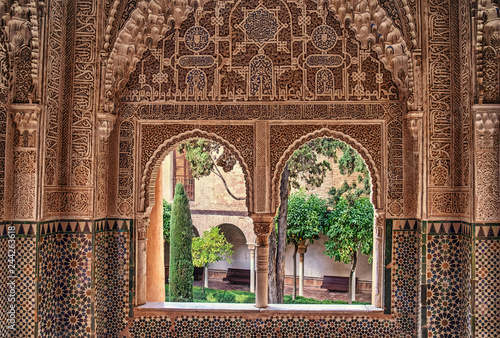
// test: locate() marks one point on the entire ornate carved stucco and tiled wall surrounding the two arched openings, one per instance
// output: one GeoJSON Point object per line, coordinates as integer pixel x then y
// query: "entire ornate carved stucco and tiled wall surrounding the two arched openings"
{"type": "Point", "coordinates": [94, 94]}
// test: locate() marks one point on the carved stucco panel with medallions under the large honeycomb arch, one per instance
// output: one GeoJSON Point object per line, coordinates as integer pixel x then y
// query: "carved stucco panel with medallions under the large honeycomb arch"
{"type": "Point", "coordinates": [238, 51]}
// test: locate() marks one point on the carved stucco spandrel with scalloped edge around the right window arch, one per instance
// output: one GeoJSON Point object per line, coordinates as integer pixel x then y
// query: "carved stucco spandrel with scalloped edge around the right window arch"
{"type": "Point", "coordinates": [279, 158]}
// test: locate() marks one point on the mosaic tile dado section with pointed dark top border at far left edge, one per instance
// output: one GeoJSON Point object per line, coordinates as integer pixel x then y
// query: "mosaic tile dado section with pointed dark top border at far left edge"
{"type": "Point", "coordinates": [18, 286]}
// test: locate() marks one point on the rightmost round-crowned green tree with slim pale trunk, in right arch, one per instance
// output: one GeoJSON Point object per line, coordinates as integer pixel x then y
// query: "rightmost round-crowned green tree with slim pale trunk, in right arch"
{"type": "Point", "coordinates": [349, 230]}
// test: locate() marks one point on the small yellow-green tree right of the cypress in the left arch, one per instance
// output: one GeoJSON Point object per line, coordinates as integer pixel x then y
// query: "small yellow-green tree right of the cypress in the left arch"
{"type": "Point", "coordinates": [210, 248]}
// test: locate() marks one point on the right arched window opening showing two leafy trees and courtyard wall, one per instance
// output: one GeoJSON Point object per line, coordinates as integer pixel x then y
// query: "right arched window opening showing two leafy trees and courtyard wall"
{"type": "Point", "coordinates": [329, 215]}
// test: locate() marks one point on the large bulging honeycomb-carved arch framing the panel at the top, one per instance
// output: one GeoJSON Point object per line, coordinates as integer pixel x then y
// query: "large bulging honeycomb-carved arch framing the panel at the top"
{"type": "Point", "coordinates": [150, 21]}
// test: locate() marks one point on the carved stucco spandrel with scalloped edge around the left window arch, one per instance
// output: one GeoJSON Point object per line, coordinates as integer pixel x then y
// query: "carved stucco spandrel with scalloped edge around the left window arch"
{"type": "Point", "coordinates": [153, 161]}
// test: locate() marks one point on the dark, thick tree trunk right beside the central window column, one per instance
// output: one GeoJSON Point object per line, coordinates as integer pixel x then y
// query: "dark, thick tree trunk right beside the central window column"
{"type": "Point", "coordinates": [281, 240]}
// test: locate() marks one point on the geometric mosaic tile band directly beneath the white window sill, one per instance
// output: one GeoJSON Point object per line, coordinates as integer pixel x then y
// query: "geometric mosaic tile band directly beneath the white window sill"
{"type": "Point", "coordinates": [275, 326]}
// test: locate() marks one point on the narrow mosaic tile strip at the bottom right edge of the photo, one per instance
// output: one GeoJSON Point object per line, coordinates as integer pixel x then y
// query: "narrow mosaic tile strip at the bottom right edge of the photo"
{"type": "Point", "coordinates": [487, 297]}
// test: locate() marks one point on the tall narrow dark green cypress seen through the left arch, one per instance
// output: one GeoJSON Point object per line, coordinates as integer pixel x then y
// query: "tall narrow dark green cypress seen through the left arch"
{"type": "Point", "coordinates": [181, 260]}
